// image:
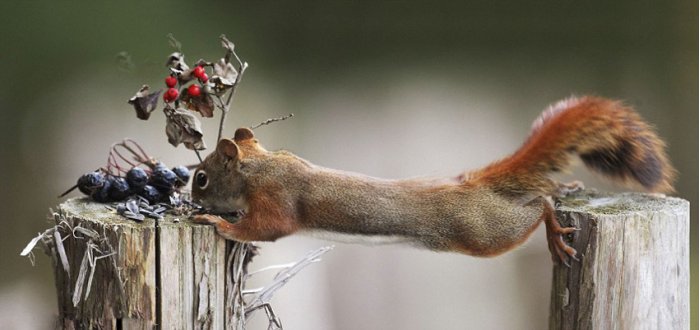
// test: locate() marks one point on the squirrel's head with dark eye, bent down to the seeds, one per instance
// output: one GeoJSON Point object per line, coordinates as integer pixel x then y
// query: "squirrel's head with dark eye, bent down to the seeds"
{"type": "Point", "coordinates": [219, 182]}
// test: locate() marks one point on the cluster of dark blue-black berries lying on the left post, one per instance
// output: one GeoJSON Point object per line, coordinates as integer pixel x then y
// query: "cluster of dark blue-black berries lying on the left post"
{"type": "Point", "coordinates": [154, 187]}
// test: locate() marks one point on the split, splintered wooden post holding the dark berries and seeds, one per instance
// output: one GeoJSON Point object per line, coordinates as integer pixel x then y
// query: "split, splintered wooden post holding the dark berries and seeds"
{"type": "Point", "coordinates": [115, 273]}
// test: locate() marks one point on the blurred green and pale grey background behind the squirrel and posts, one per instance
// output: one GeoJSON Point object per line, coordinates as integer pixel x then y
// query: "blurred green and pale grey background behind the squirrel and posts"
{"type": "Point", "coordinates": [387, 88]}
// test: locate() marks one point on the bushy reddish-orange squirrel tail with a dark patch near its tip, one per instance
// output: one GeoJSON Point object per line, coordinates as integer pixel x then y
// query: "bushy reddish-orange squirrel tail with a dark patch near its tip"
{"type": "Point", "coordinates": [610, 138]}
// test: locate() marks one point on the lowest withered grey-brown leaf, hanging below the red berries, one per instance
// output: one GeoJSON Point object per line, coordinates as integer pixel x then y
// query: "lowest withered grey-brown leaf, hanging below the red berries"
{"type": "Point", "coordinates": [183, 127]}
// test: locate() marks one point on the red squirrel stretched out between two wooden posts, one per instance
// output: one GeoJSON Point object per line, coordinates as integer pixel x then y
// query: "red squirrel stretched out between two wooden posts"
{"type": "Point", "coordinates": [484, 212]}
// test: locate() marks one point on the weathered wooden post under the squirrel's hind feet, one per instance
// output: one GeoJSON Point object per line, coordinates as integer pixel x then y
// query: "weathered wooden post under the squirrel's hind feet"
{"type": "Point", "coordinates": [634, 268]}
